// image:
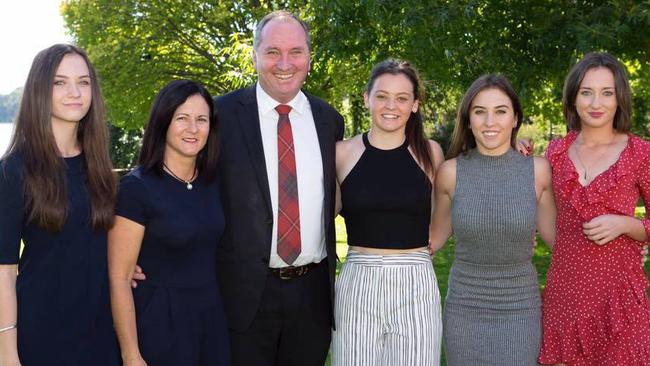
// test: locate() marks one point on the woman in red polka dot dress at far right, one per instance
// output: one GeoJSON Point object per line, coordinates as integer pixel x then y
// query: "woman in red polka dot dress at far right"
{"type": "Point", "coordinates": [596, 309]}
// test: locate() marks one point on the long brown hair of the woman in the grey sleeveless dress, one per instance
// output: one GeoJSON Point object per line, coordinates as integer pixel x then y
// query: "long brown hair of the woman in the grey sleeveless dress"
{"type": "Point", "coordinates": [462, 139]}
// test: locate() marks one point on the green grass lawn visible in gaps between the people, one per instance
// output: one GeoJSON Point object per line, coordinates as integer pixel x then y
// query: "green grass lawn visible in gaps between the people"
{"type": "Point", "coordinates": [444, 258]}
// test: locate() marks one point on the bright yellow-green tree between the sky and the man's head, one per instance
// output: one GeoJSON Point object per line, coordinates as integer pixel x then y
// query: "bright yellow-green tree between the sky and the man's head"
{"type": "Point", "coordinates": [139, 46]}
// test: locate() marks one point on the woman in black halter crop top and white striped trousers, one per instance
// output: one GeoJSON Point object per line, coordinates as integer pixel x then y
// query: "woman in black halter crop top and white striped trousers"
{"type": "Point", "coordinates": [387, 302]}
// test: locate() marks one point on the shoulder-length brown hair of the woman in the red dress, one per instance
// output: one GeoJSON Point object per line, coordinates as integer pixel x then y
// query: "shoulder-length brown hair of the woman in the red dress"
{"type": "Point", "coordinates": [622, 117]}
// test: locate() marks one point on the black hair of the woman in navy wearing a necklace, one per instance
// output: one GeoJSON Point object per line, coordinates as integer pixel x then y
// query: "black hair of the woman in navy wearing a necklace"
{"type": "Point", "coordinates": [152, 153]}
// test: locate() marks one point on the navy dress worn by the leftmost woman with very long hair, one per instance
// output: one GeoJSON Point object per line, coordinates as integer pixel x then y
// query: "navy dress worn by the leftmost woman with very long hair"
{"type": "Point", "coordinates": [64, 315]}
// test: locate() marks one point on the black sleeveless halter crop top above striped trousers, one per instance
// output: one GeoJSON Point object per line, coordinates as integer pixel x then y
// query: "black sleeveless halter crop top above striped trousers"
{"type": "Point", "coordinates": [386, 200]}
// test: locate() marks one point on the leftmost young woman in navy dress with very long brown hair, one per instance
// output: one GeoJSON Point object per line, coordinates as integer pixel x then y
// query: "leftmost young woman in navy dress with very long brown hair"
{"type": "Point", "coordinates": [57, 193]}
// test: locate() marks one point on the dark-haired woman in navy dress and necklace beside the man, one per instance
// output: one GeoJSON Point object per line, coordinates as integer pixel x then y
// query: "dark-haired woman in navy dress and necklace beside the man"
{"type": "Point", "coordinates": [169, 219]}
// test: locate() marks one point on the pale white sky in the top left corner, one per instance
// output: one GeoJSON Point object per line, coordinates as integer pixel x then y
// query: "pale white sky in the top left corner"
{"type": "Point", "coordinates": [26, 27]}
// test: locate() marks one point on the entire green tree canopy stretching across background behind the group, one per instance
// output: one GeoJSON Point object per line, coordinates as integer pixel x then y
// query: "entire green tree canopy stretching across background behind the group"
{"type": "Point", "coordinates": [138, 46]}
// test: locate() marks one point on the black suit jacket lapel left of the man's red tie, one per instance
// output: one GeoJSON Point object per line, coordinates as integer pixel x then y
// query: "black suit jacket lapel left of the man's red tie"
{"type": "Point", "coordinates": [249, 121]}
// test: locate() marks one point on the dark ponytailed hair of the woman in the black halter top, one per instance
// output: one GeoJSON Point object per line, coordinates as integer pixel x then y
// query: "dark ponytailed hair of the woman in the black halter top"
{"type": "Point", "coordinates": [414, 129]}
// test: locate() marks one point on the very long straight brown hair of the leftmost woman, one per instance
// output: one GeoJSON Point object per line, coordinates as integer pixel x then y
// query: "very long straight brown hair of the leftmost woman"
{"type": "Point", "coordinates": [44, 168]}
